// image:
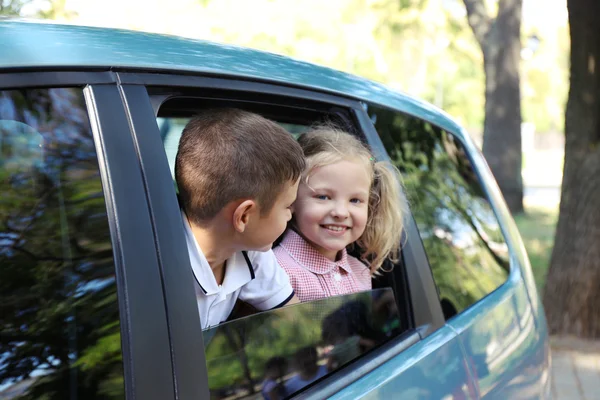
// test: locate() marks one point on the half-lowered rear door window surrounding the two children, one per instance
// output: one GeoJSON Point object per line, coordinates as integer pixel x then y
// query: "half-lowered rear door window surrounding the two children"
{"type": "Point", "coordinates": [259, 354]}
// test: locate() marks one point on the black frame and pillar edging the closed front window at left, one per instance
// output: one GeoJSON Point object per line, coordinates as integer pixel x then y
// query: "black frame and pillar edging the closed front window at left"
{"type": "Point", "coordinates": [142, 314]}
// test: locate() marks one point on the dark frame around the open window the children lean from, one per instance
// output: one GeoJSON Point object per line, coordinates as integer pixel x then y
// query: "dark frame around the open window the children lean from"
{"type": "Point", "coordinates": [427, 313]}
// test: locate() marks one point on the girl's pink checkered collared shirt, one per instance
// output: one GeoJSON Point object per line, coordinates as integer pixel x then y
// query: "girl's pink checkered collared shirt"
{"type": "Point", "coordinates": [313, 276]}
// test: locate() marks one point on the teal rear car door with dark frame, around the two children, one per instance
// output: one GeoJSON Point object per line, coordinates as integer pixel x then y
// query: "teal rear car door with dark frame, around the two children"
{"type": "Point", "coordinates": [425, 352]}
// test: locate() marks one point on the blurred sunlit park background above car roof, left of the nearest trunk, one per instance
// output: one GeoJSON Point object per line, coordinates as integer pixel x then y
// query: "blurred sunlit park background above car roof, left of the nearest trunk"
{"type": "Point", "coordinates": [456, 54]}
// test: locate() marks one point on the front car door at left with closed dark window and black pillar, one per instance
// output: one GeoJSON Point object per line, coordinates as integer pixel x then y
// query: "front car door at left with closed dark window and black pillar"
{"type": "Point", "coordinates": [81, 295]}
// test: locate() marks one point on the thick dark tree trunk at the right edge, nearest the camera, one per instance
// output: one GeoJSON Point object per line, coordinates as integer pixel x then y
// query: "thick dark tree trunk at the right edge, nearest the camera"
{"type": "Point", "coordinates": [572, 293]}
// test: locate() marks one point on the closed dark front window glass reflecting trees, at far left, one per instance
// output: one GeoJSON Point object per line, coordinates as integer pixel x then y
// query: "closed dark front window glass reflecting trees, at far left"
{"type": "Point", "coordinates": [58, 300]}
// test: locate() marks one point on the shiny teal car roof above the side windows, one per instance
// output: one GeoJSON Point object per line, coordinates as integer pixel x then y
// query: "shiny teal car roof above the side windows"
{"type": "Point", "coordinates": [39, 45]}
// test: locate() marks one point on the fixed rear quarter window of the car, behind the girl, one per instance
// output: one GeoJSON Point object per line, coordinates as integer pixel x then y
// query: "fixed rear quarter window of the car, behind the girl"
{"type": "Point", "coordinates": [459, 230]}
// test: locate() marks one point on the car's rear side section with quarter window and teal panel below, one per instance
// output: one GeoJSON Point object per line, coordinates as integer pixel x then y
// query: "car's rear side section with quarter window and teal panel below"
{"type": "Point", "coordinates": [477, 259]}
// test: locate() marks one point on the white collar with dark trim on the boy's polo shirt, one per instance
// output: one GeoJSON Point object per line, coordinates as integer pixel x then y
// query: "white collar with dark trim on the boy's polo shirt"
{"type": "Point", "coordinates": [238, 270]}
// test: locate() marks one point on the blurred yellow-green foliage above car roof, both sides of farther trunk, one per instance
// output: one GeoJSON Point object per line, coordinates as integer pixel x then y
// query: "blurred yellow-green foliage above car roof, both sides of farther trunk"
{"type": "Point", "coordinates": [423, 47]}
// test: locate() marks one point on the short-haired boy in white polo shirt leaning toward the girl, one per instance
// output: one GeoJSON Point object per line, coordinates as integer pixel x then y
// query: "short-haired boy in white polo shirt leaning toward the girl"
{"type": "Point", "coordinates": [237, 175]}
